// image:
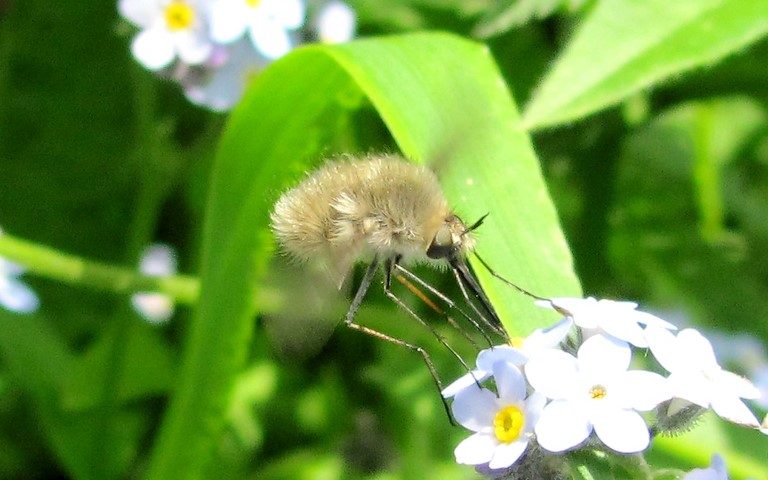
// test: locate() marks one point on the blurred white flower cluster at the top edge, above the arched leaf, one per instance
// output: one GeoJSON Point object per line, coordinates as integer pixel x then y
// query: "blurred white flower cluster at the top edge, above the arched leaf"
{"type": "Point", "coordinates": [212, 48]}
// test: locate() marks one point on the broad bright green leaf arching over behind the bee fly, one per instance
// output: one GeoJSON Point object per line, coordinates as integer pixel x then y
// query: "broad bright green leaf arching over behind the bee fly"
{"type": "Point", "coordinates": [442, 98]}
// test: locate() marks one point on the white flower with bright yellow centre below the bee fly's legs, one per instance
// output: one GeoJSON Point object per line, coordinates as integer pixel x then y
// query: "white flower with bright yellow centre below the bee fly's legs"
{"type": "Point", "coordinates": [503, 424]}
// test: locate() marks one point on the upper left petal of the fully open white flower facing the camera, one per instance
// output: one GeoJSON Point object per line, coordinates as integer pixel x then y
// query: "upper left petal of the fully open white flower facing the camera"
{"type": "Point", "coordinates": [552, 372]}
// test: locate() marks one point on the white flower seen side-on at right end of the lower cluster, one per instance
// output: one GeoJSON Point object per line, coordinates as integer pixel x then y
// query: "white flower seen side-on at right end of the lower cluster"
{"type": "Point", "coordinates": [696, 376]}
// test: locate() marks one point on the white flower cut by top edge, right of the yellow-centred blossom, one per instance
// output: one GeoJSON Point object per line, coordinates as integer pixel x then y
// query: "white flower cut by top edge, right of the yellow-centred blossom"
{"type": "Point", "coordinates": [267, 22]}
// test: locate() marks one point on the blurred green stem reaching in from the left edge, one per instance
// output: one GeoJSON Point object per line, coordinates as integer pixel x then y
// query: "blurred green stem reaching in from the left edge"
{"type": "Point", "coordinates": [53, 264]}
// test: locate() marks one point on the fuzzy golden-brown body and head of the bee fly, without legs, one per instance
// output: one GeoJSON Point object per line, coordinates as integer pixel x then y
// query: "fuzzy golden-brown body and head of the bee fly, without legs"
{"type": "Point", "coordinates": [381, 206]}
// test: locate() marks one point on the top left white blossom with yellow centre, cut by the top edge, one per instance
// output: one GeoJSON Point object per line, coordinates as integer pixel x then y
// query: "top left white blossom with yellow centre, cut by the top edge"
{"type": "Point", "coordinates": [170, 29]}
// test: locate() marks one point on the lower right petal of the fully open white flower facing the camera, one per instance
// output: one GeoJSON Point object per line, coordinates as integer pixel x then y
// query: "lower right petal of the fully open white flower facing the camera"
{"type": "Point", "coordinates": [624, 431]}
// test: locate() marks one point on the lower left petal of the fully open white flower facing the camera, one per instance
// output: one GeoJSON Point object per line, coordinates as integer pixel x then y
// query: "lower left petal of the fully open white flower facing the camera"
{"type": "Point", "coordinates": [561, 426]}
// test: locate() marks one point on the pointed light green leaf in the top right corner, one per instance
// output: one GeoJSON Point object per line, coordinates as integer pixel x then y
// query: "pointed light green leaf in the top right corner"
{"type": "Point", "coordinates": [625, 46]}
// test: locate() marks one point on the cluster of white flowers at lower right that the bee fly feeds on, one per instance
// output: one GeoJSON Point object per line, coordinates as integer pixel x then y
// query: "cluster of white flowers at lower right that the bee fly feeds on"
{"type": "Point", "coordinates": [572, 385]}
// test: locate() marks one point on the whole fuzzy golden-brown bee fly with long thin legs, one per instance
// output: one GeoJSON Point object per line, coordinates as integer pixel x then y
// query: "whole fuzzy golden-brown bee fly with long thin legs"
{"type": "Point", "coordinates": [391, 212]}
